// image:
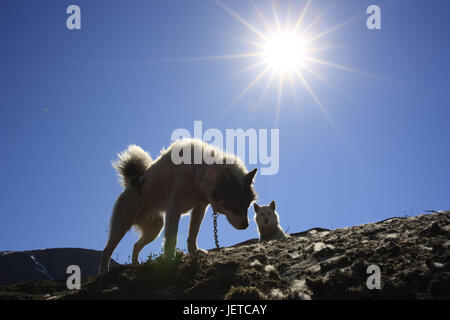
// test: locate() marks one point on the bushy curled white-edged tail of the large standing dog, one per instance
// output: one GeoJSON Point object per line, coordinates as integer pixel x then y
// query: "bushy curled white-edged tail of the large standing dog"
{"type": "Point", "coordinates": [131, 165]}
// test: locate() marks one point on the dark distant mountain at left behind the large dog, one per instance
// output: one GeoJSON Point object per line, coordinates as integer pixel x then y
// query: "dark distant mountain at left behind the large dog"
{"type": "Point", "coordinates": [47, 264]}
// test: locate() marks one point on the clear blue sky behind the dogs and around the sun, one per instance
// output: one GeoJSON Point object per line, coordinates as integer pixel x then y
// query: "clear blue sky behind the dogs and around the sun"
{"type": "Point", "coordinates": [70, 100]}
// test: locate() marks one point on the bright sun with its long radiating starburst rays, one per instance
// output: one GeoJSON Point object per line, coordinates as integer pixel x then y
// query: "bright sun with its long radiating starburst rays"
{"type": "Point", "coordinates": [286, 51]}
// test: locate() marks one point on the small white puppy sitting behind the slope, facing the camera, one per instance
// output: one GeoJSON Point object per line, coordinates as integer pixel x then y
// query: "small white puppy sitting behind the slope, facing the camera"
{"type": "Point", "coordinates": [267, 221]}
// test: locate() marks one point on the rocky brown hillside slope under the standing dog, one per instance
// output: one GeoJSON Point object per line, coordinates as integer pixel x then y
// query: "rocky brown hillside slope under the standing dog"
{"type": "Point", "coordinates": [413, 254]}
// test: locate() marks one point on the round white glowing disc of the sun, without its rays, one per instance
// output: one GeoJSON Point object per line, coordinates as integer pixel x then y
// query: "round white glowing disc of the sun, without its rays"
{"type": "Point", "coordinates": [284, 52]}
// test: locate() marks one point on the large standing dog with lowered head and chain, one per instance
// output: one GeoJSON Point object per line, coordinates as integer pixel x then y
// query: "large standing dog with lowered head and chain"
{"type": "Point", "coordinates": [156, 194]}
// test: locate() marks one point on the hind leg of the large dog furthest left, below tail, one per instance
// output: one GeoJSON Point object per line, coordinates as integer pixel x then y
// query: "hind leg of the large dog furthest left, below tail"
{"type": "Point", "coordinates": [125, 211]}
